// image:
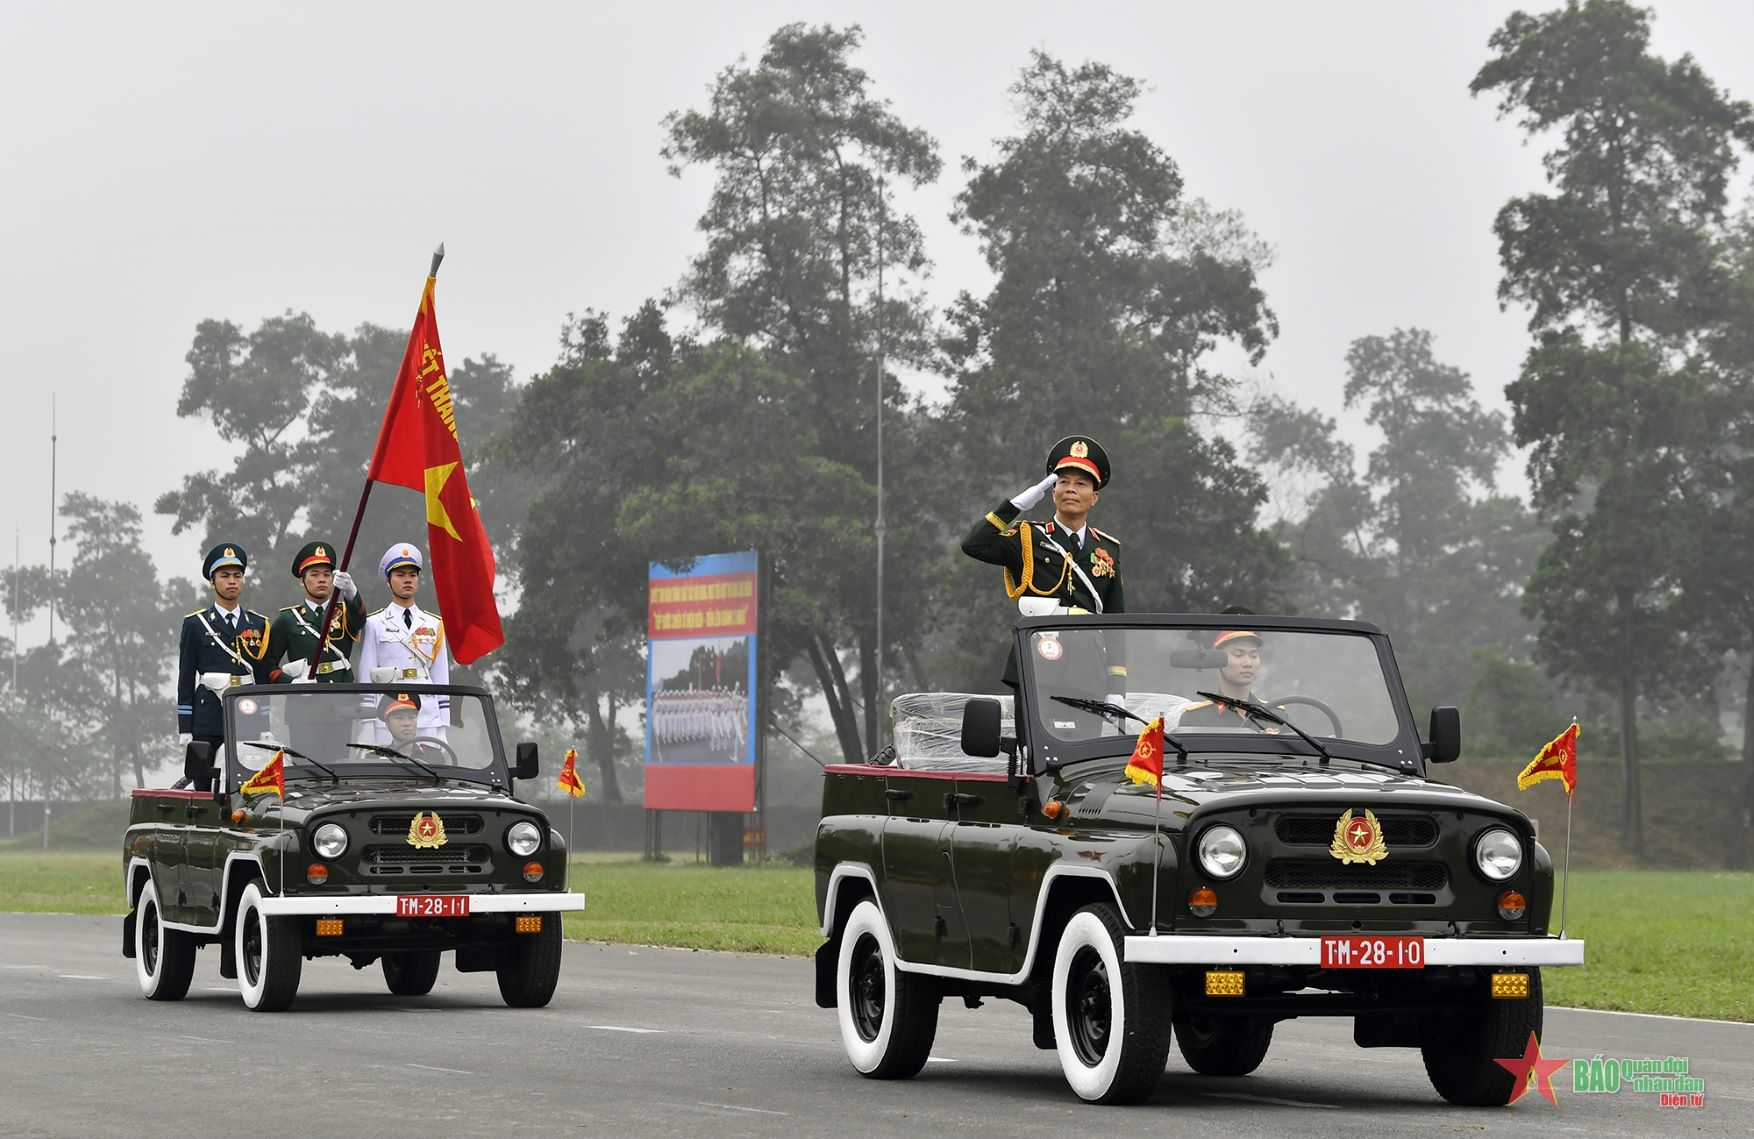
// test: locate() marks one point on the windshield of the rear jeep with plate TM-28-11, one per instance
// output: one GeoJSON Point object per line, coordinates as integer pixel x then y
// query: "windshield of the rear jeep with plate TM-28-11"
{"type": "Point", "coordinates": [355, 731]}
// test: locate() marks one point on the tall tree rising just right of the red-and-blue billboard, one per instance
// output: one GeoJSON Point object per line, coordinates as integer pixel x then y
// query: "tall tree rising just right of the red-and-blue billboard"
{"type": "Point", "coordinates": [799, 231]}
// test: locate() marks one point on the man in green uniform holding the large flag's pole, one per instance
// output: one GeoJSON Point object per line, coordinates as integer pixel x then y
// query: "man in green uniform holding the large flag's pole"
{"type": "Point", "coordinates": [317, 726]}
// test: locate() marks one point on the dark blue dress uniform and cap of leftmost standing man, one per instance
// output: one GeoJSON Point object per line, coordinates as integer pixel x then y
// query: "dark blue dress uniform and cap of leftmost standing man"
{"type": "Point", "coordinates": [218, 643]}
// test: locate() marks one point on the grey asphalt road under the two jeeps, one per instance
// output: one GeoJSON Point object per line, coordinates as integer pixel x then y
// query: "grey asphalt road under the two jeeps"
{"type": "Point", "coordinates": [671, 1043]}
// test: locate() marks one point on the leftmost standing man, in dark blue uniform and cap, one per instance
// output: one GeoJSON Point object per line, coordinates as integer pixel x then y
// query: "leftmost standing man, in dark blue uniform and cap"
{"type": "Point", "coordinates": [222, 645]}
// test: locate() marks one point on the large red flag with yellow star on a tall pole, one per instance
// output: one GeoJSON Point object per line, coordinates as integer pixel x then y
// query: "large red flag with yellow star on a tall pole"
{"type": "Point", "coordinates": [418, 448]}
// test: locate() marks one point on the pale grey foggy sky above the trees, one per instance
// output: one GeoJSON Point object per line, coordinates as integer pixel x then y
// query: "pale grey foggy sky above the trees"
{"type": "Point", "coordinates": [168, 164]}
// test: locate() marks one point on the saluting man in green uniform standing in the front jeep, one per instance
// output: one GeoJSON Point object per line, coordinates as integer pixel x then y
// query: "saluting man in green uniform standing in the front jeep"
{"type": "Point", "coordinates": [1064, 564]}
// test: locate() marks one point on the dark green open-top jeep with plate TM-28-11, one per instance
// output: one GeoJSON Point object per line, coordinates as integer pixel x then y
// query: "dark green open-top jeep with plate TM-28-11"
{"type": "Point", "coordinates": [385, 850]}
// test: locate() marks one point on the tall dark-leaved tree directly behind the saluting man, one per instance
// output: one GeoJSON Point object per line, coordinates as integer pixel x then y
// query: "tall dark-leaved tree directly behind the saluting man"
{"type": "Point", "coordinates": [1111, 292]}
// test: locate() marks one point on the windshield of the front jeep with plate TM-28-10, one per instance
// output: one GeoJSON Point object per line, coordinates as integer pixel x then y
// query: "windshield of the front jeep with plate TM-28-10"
{"type": "Point", "coordinates": [1332, 684]}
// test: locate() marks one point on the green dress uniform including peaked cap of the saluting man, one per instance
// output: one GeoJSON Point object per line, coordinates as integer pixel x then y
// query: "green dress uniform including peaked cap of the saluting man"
{"type": "Point", "coordinates": [1045, 561]}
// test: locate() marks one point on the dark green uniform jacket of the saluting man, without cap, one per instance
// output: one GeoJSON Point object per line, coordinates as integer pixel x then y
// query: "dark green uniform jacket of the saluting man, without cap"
{"type": "Point", "coordinates": [999, 540]}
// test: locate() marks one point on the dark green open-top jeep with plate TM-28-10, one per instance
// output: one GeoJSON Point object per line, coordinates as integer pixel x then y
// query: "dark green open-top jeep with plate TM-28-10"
{"type": "Point", "coordinates": [1301, 863]}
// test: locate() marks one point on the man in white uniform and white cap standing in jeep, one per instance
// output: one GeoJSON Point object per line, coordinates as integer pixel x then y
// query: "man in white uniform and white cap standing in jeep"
{"type": "Point", "coordinates": [404, 645]}
